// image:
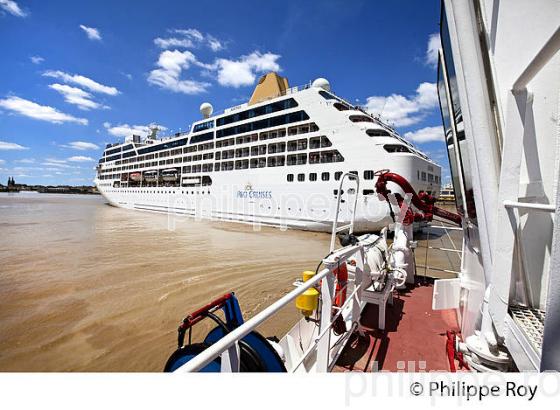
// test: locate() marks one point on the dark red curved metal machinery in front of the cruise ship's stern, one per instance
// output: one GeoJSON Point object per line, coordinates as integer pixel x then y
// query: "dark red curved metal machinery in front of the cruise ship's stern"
{"type": "Point", "coordinates": [422, 201]}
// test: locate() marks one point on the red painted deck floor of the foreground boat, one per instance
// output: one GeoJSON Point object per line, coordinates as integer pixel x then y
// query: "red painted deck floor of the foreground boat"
{"type": "Point", "coordinates": [414, 338]}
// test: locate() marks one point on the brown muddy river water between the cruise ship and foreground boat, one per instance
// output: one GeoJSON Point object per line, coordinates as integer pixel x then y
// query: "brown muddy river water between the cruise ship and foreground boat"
{"type": "Point", "coordinates": [88, 287]}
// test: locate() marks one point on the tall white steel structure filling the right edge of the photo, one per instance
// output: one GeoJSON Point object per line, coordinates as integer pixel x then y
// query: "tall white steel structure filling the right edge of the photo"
{"type": "Point", "coordinates": [499, 88]}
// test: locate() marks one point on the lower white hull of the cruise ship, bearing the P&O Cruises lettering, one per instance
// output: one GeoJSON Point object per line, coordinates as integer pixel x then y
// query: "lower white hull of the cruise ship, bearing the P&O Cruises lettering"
{"type": "Point", "coordinates": [259, 197]}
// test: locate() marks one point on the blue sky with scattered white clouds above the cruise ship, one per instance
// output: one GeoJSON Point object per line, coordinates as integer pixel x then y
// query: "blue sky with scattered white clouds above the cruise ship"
{"type": "Point", "coordinates": [78, 75]}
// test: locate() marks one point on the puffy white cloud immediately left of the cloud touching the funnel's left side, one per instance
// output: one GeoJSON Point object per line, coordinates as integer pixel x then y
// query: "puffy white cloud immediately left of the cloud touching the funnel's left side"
{"type": "Point", "coordinates": [168, 76]}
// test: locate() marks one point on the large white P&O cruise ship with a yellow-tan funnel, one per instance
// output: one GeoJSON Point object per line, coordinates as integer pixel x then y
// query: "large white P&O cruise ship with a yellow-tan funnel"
{"type": "Point", "coordinates": [276, 160]}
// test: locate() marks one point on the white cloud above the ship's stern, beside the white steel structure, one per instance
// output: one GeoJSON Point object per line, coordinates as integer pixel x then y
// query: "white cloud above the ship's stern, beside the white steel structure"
{"type": "Point", "coordinates": [405, 111]}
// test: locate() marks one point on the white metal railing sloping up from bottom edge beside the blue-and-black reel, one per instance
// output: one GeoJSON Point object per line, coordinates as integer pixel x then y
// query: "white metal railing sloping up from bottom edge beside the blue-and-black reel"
{"type": "Point", "coordinates": [227, 346]}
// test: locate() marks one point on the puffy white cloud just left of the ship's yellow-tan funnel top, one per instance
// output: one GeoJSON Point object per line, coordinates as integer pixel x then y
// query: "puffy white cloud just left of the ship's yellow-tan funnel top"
{"type": "Point", "coordinates": [236, 73]}
